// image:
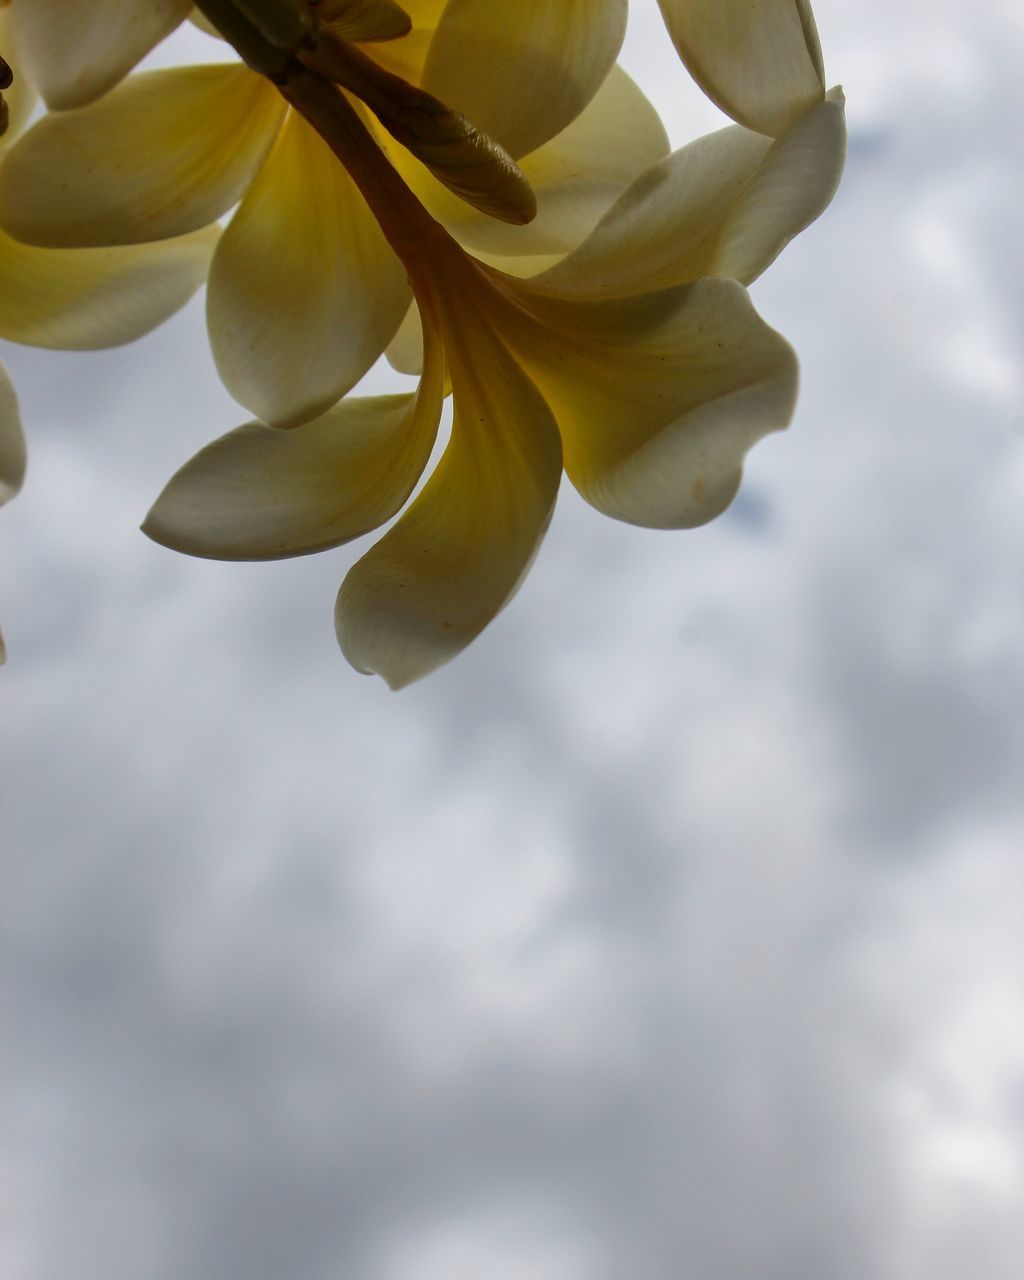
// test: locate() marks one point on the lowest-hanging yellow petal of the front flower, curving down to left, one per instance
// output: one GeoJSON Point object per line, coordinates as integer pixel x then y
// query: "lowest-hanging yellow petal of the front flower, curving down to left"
{"type": "Point", "coordinates": [460, 552]}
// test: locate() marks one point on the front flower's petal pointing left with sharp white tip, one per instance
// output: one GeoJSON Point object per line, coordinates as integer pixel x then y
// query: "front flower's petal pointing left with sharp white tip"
{"type": "Point", "coordinates": [259, 493]}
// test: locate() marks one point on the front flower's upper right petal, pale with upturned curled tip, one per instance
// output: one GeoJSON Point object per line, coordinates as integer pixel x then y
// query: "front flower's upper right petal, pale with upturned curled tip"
{"type": "Point", "coordinates": [725, 205]}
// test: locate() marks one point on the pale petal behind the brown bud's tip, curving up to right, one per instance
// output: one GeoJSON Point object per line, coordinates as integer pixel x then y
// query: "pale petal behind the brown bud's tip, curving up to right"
{"type": "Point", "coordinates": [575, 177]}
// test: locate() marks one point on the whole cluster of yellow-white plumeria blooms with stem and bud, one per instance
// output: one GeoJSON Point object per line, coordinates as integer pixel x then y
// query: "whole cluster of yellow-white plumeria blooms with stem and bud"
{"type": "Point", "coordinates": [483, 193]}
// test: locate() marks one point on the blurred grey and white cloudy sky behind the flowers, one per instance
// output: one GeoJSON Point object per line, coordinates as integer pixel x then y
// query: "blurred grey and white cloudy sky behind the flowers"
{"type": "Point", "coordinates": [675, 931]}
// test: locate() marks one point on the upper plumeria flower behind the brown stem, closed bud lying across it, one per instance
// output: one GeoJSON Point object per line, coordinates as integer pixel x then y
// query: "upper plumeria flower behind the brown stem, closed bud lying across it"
{"type": "Point", "coordinates": [305, 291]}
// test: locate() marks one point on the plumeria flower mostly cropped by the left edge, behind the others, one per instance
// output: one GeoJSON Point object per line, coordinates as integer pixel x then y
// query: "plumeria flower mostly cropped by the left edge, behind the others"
{"type": "Point", "coordinates": [77, 299]}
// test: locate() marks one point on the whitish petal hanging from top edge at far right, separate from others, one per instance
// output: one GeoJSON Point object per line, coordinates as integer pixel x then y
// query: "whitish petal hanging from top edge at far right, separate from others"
{"type": "Point", "coordinates": [760, 61]}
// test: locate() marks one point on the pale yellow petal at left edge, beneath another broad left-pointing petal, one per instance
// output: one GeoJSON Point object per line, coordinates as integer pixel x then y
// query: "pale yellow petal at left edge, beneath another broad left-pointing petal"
{"type": "Point", "coordinates": [85, 299]}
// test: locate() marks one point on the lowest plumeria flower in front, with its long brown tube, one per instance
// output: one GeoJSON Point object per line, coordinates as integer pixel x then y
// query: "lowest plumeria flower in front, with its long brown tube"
{"type": "Point", "coordinates": [637, 363]}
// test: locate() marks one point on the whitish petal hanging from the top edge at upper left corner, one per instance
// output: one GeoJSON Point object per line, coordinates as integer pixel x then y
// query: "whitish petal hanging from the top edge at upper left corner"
{"type": "Point", "coordinates": [76, 51]}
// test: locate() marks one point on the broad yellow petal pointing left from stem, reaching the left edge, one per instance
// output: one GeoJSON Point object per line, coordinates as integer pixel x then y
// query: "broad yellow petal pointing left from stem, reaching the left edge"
{"type": "Point", "coordinates": [163, 154]}
